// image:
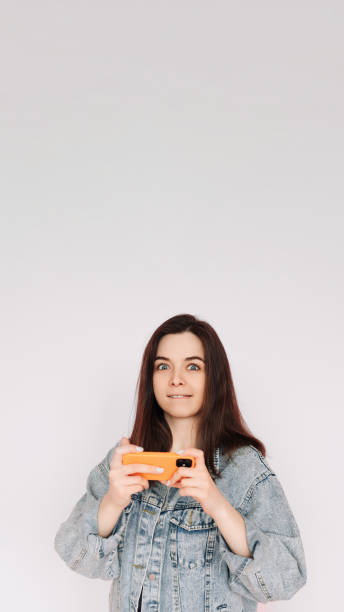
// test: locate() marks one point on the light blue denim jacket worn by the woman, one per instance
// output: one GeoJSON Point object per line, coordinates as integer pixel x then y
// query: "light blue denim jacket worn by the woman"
{"type": "Point", "coordinates": [168, 547]}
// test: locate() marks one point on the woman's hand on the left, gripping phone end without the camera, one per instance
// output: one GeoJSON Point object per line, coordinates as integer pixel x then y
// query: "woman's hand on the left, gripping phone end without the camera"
{"type": "Point", "coordinates": [121, 484]}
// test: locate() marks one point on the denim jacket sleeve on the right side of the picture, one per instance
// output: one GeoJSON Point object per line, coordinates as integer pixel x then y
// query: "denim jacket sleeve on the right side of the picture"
{"type": "Point", "coordinates": [277, 569]}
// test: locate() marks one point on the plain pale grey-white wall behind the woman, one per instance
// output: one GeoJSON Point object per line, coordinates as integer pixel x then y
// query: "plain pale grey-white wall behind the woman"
{"type": "Point", "coordinates": [160, 158]}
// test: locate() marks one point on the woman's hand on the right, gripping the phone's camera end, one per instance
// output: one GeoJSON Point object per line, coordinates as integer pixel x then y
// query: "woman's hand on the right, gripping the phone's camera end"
{"type": "Point", "coordinates": [197, 482]}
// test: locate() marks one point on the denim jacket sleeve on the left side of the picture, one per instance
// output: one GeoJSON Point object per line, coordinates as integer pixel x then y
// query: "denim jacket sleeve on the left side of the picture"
{"type": "Point", "coordinates": [77, 541]}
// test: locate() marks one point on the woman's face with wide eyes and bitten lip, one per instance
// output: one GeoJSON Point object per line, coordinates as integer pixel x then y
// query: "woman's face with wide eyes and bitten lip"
{"type": "Point", "coordinates": [176, 374]}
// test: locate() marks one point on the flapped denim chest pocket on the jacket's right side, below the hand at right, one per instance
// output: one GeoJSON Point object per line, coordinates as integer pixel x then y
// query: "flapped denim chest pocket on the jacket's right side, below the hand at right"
{"type": "Point", "coordinates": [193, 538]}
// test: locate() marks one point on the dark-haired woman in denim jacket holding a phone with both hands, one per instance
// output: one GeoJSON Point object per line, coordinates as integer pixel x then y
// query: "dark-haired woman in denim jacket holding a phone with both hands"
{"type": "Point", "coordinates": [218, 536]}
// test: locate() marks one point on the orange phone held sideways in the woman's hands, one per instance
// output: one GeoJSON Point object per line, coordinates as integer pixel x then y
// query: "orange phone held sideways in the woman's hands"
{"type": "Point", "coordinates": [169, 461]}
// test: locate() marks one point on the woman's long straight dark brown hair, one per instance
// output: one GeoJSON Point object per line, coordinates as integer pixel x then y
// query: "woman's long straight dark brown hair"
{"type": "Point", "coordinates": [220, 424]}
